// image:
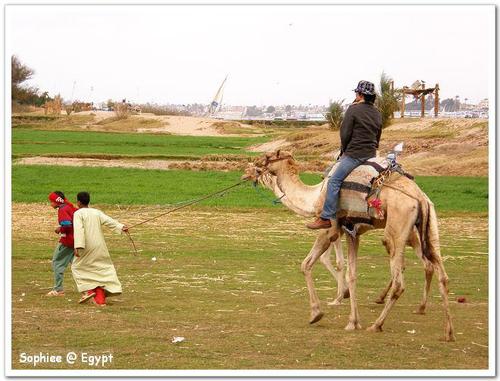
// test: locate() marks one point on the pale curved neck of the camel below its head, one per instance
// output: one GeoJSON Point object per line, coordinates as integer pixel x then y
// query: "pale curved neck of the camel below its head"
{"type": "Point", "coordinates": [298, 194]}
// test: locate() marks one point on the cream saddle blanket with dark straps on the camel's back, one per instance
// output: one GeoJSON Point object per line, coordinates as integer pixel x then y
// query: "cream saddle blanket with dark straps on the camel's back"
{"type": "Point", "coordinates": [355, 189]}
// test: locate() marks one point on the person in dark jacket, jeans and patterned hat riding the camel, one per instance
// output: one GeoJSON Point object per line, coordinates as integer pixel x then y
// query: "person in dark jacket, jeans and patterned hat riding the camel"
{"type": "Point", "coordinates": [359, 136]}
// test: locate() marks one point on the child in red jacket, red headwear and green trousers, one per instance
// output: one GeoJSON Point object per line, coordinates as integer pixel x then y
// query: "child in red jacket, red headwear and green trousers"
{"type": "Point", "coordinates": [63, 254]}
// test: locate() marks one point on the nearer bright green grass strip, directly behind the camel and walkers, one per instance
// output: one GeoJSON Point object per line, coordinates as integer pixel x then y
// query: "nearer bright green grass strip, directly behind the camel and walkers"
{"type": "Point", "coordinates": [137, 186]}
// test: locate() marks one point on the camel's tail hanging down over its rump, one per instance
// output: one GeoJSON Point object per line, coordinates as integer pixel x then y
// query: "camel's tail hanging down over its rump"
{"type": "Point", "coordinates": [428, 229]}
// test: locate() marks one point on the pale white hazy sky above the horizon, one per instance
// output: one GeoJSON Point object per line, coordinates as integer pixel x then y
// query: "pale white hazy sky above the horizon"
{"type": "Point", "coordinates": [273, 54]}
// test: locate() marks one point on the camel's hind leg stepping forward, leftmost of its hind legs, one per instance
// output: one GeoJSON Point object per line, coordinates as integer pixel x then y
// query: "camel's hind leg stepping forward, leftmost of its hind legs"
{"type": "Point", "coordinates": [395, 237]}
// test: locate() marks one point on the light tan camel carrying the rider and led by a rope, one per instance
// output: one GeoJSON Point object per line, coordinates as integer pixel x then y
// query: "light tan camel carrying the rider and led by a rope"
{"type": "Point", "coordinates": [410, 217]}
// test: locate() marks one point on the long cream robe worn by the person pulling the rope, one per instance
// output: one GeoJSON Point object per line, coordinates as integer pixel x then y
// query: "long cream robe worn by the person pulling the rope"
{"type": "Point", "coordinates": [94, 267]}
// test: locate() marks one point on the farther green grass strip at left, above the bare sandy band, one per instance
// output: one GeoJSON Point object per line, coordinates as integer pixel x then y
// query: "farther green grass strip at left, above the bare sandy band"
{"type": "Point", "coordinates": [31, 142]}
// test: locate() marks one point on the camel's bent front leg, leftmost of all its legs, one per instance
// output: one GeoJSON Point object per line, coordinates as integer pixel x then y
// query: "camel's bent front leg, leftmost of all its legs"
{"type": "Point", "coordinates": [320, 246]}
